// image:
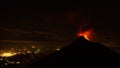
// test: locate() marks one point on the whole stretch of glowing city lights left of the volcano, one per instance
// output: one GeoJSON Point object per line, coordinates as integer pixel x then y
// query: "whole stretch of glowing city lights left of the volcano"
{"type": "Point", "coordinates": [12, 56]}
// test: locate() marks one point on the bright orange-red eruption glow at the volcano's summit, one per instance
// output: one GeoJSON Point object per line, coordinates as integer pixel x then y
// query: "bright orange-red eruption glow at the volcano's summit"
{"type": "Point", "coordinates": [87, 34]}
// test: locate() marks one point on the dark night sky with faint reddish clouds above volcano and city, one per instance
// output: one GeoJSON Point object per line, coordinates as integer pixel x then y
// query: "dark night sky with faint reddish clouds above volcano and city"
{"type": "Point", "coordinates": [56, 23]}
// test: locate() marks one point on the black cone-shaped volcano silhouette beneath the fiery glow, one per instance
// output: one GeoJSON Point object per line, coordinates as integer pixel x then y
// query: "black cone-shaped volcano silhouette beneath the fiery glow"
{"type": "Point", "coordinates": [80, 52]}
